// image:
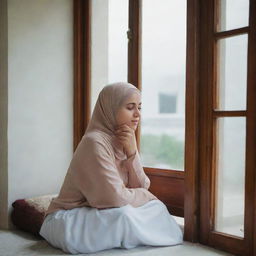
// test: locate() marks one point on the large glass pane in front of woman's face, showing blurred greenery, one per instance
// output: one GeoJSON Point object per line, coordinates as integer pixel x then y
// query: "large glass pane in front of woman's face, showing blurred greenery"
{"type": "Point", "coordinates": [163, 83]}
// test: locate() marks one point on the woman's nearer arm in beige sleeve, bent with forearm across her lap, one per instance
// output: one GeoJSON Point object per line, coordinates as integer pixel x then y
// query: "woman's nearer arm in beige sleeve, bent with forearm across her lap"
{"type": "Point", "coordinates": [98, 180]}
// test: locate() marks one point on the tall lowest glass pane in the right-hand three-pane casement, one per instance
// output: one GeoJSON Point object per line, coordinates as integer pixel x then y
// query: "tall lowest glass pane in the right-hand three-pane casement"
{"type": "Point", "coordinates": [230, 180]}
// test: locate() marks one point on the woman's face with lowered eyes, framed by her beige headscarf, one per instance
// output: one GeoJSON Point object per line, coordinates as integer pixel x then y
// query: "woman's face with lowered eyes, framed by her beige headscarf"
{"type": "Point", "coordinates": [129, 112]}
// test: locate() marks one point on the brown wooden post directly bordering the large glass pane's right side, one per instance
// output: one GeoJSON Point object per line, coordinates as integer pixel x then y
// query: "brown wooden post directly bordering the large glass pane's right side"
{"type": "Point", "coordinates": [192, 122]}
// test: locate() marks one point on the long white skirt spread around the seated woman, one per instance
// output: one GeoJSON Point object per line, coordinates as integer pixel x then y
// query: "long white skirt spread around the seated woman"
{"type": "Point", "coordinates": [88, 230]}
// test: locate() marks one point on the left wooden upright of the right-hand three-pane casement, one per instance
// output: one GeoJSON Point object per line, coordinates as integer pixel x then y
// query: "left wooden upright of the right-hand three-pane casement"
{"type": "Point", "coordinates": [205, 138]}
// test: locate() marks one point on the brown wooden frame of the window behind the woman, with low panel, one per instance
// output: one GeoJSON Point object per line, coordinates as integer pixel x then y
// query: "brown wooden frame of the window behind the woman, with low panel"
{"type": "Point", "coordinates": [175, 188]}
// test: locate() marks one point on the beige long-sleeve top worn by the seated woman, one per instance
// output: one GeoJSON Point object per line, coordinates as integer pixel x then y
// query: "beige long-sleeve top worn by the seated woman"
{"type": "Point", "coordinates": [97, 178]}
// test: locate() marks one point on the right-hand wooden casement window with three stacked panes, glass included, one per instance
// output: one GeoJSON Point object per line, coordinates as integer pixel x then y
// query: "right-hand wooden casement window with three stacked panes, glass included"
{"type": "Point", "coordinates": [228, 127]}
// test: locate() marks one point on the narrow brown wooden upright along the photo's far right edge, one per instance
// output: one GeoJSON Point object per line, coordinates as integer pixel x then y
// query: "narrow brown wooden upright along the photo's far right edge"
{"type": "Point", "coordinates": [250, 189]}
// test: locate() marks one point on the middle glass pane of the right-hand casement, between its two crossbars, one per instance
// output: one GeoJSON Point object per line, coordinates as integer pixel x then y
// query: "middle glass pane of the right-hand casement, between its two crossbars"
{"type": "Point", "coordinates": [232, 70]}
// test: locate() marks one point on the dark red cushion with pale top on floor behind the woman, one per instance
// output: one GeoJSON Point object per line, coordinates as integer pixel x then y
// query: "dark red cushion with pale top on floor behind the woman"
{"type": "Point", "coordinates": [28, 214]}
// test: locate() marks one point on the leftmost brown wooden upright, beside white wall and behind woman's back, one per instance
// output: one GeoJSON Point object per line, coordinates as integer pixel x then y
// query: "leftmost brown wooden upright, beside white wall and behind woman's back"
{"type": "Point", "coordinates": [82, 14]}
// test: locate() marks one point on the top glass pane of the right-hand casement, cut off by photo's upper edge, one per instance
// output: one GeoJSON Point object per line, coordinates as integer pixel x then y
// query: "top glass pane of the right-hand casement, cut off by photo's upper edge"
{"type": "Point", "coordinates": [233, 14]}
